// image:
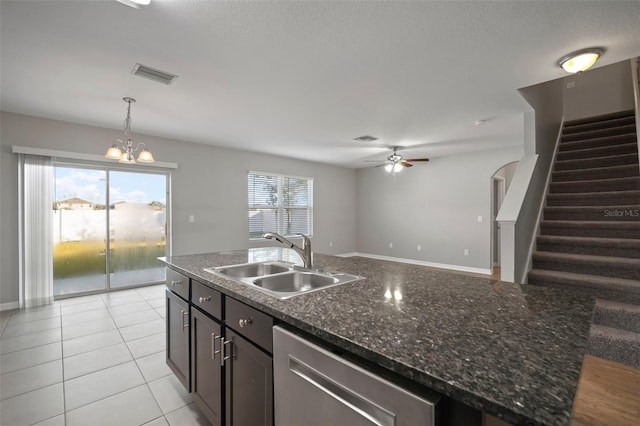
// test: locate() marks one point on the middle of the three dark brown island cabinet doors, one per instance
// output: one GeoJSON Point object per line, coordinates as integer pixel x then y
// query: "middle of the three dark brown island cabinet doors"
{"type": "Point", "coordinates": [206, 365]}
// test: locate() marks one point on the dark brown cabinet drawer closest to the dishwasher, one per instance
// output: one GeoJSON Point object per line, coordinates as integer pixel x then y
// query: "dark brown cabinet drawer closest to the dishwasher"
{"type": "Point", "coordinates": [250, 322]}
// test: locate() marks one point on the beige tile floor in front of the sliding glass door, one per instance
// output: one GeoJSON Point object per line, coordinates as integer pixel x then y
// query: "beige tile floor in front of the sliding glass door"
{"type": "Point", "coordinates": [92, 360]}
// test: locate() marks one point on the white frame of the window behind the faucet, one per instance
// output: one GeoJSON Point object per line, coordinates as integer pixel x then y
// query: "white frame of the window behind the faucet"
{"type": "Point", "coordinates": [280, 207]}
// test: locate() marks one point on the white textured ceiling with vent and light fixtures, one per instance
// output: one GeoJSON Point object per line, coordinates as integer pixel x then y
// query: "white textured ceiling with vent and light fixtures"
{"type": "Point", "coordinates": [302, 79]}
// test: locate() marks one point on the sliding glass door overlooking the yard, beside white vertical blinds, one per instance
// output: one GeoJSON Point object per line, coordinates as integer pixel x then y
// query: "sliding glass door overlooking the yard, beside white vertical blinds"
{"type": "Point", "coordinates": [109, 229]}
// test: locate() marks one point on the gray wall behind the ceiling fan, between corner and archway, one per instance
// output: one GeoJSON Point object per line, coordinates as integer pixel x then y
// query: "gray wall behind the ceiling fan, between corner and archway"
{"type": "Point", "coordinates": [435, 205]}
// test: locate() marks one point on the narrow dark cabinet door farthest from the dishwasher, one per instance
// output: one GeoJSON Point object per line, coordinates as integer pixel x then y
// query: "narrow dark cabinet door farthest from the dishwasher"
{"type": "Point", "coordinates": [178, 338]}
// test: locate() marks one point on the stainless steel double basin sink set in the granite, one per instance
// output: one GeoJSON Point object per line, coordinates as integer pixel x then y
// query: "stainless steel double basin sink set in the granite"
{"type": "Point", "coordinates": [280, 279]}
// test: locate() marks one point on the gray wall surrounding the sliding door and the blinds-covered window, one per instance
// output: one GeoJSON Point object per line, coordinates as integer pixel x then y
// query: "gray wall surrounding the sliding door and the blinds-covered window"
{"type": "Point", "coordinates": [211, 184]}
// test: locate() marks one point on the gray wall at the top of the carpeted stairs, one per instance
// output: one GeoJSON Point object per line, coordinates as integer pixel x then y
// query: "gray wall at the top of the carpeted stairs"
{"type": "Point", "coordinates": [599, 91]}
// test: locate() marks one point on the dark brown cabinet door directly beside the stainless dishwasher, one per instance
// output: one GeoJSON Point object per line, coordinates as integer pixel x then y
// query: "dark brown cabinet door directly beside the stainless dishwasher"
{"type": "Point", "coordinates": [249, 383]}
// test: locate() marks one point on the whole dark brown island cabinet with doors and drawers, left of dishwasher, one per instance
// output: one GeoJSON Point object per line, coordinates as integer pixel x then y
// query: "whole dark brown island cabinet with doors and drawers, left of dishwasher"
{"type": "Point", "coordinates": [220, 349]}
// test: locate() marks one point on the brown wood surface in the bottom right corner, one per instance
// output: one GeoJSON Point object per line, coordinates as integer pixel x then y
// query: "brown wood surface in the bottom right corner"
{"type": "Point", "coordinates": [608, 394]}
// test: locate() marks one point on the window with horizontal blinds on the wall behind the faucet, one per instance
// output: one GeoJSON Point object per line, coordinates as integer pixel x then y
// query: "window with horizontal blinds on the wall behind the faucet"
{"type": "Point", "coordinates": [279, 203]}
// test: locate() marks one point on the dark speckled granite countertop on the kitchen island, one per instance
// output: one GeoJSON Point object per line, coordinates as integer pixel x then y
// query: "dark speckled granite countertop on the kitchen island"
{"type": "Point", "coordinates": [512, 351]}
